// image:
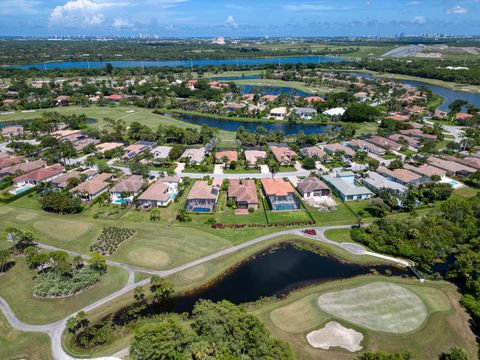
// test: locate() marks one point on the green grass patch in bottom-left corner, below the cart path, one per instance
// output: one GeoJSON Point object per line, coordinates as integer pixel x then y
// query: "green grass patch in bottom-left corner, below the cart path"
{"type": "Point", "coordinates": [16, 344]}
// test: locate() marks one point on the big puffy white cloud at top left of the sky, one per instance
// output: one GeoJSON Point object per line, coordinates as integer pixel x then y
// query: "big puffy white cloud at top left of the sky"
{"type": "Point", "coordinates": [76, 13]}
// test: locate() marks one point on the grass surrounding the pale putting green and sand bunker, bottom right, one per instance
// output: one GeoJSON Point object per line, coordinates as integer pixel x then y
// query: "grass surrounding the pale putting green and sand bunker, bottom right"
{"type": "Point", "coordinates": [290, 319]}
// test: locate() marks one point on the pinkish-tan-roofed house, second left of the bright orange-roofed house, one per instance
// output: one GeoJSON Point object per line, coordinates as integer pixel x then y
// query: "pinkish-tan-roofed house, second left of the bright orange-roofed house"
{"type": "Point", "coordinates": [202, 197]}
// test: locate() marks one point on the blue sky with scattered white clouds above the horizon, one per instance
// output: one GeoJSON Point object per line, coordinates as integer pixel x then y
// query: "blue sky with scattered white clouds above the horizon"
{"type": "Point", "coordinates": [238, 18]}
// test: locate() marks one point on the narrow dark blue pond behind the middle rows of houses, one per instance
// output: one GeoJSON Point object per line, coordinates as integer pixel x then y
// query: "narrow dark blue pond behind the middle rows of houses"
{"type": "Point", "coordinates": [233, 125]}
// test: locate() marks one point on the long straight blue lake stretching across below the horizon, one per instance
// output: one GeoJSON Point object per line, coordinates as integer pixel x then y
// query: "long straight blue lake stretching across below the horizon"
{"type": "Point", "coordinates": [183, 63]}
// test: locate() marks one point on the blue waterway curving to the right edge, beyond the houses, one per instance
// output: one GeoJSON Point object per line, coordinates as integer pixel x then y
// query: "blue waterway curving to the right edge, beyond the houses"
{"type": "Point", "coordinates": [448, 95]}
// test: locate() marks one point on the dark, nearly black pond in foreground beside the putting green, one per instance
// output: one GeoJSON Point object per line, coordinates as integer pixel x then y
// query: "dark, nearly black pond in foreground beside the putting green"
{"type": "Point", "coordinates": [275, 272]}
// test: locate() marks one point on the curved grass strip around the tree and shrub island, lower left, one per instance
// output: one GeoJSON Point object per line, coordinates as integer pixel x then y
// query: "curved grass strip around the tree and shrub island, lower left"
{"type": "Point", "coordinates": [16, 289]}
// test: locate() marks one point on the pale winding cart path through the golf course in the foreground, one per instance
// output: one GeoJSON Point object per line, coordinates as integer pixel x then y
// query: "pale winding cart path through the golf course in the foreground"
{"type": "Point", "coordinates": [55, 329]}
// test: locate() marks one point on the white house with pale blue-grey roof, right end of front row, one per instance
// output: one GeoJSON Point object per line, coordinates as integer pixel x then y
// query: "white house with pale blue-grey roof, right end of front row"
{"type": "Point", "coordinates": [346, 187]}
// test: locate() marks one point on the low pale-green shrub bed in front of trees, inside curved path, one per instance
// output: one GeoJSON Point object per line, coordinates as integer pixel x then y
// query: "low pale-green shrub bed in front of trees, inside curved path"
{"type": "Point", "coordinates": [53, 284]}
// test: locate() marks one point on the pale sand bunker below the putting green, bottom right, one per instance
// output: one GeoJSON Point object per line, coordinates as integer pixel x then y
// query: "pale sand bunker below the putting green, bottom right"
{"type": "Point", "coordinates": [333, 334]}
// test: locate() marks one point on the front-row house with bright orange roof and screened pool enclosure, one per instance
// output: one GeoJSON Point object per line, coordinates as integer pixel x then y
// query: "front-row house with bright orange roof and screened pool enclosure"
{"type": "Point", "coordinates": [280, 194]}
